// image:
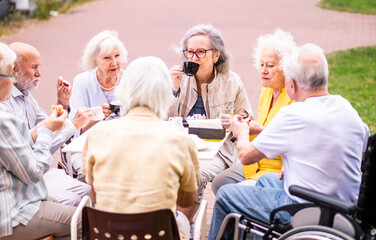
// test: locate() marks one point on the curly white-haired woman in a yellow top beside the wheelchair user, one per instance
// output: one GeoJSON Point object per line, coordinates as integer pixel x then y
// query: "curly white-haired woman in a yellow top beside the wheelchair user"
{"type": "Point", "coordinates": [269, 51]}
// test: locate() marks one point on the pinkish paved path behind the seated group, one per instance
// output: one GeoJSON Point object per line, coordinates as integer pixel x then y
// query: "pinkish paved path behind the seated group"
{"type": "Point", "coordinates": [149, 27]}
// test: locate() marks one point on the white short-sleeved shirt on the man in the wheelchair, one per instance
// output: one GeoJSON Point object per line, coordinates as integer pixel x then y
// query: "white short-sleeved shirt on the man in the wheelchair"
{"type": "Point", "coordinates": [321, 141]}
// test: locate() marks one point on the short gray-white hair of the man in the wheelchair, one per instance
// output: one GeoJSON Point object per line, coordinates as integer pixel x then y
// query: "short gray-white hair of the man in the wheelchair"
{"type": "Point", "coordinates": [308, 67]}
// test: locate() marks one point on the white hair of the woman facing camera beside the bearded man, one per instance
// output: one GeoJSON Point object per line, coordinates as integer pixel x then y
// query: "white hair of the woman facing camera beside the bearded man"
{"type": "Point", "coordinates": [101, 44]}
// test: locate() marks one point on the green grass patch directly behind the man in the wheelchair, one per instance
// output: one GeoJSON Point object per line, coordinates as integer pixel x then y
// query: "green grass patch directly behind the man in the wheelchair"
{"type": "Point", "coordinates": [352, 74]}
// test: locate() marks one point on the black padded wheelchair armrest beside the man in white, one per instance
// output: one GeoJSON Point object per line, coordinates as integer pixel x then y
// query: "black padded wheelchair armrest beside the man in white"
{"type": "Point", "coordinates": [323, 200]}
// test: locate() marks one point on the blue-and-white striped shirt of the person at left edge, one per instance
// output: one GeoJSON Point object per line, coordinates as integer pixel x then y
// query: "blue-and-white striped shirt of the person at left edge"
{"type": "Point", "coordinates": [22, 165]}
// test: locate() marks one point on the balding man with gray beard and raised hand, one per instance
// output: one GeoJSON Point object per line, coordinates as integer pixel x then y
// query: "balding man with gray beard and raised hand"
{"type": "Point", "coordinates": [22, 104]}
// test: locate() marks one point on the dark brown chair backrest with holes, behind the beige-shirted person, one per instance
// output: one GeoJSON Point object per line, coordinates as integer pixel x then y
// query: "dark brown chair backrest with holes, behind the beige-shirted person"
{"type": "Point", "coordinates": [154, 225]}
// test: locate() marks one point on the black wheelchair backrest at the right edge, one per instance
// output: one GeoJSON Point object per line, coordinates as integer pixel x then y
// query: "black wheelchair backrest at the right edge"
{"type": "Point", "coordinates": [366, 210]}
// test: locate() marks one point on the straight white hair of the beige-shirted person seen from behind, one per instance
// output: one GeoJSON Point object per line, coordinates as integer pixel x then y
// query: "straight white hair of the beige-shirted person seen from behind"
{"type": "Point", "coordinates": [147, 83]}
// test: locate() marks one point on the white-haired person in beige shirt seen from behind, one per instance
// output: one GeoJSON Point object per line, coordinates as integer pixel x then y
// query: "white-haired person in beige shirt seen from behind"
{"type": "Point", "coordinates": [138, 162]}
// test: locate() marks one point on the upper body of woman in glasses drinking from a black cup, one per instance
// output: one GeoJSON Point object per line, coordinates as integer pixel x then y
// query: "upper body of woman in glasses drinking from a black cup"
{"type": "Point", "coordinates": [214, 85]}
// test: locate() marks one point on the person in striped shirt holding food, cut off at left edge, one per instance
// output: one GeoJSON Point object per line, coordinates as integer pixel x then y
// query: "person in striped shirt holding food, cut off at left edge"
{"type": "Point", "coordinates": [25, 212]}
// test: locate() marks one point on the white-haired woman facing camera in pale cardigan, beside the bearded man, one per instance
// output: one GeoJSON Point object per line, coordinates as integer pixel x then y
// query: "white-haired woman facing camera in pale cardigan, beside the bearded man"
{"type": "Point", "coordinates": [102, 59]}
